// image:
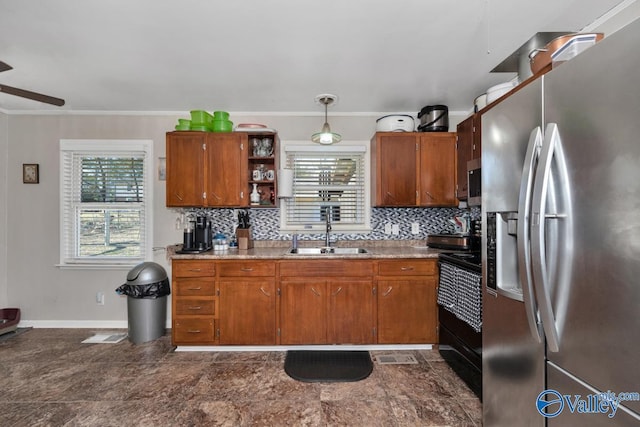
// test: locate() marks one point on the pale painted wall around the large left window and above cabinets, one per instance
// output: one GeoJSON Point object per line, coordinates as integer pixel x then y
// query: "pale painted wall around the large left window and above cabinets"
{"type": "Point", "coordinates": [50, 296]}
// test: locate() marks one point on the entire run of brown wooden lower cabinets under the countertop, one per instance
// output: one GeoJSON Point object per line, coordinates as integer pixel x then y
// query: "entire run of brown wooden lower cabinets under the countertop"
{"type": "Point", "coordinates": [297, 302]}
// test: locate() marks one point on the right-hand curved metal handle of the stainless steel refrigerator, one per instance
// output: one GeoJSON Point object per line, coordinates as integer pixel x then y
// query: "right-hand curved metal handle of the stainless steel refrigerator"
{"type": "Point", "coordinates": [551, 149]}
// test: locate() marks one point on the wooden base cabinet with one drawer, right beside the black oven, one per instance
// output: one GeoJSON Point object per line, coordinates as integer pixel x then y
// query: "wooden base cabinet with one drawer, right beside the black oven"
{"type": "Point", "coordinates": [407, 307]}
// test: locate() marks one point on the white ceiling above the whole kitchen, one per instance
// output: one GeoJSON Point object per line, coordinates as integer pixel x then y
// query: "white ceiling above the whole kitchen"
{"type": "Point", "coordinates": [386, 56]}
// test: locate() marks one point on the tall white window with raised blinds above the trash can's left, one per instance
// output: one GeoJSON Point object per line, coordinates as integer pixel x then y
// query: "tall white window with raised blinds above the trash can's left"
{"type": "Point", "coordinates": [106, 194]}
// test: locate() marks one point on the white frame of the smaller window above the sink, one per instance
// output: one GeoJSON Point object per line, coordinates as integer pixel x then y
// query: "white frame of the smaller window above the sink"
{"type": "Point", "coordinates": [320, 227]}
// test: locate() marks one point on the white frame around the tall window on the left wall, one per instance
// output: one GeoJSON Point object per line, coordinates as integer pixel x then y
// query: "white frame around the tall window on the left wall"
{"type": "Point", "coordinates": [68, 233]}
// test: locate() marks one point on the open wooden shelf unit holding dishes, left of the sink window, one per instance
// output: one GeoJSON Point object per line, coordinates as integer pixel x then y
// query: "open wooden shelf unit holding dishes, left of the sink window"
{"type": "Point", "coordinates": [262, 168]}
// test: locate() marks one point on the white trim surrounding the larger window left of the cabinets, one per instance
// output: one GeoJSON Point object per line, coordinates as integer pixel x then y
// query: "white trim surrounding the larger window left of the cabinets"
{"type": "Point", "coordinates": [105, 146]}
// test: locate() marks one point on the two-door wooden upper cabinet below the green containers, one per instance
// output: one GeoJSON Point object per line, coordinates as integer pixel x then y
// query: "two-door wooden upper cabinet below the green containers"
{"type": "Point", "coordinates": [206, 169]}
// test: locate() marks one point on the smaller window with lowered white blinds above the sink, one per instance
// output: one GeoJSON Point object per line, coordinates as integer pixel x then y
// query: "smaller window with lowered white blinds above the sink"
{"type": "Point", "coordinates": [326, 181]}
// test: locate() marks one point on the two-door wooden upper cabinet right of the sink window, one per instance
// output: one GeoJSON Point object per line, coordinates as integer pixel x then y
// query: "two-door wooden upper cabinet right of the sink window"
{"type": "Point", "coordinates": [414, 169]}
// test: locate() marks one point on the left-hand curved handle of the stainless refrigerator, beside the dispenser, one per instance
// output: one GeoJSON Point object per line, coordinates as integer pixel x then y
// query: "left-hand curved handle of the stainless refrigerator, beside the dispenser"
{"type": "Point", "coordinates": [523, 233]}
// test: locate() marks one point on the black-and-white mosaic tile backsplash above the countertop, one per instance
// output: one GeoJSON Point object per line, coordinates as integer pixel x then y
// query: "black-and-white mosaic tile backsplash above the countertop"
{"type": "Point", "coordinates": [266, 223]}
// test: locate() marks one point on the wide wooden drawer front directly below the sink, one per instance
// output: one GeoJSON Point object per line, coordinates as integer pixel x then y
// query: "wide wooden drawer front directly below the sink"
{"type": "Point", "coordinates": [326, 268]}
